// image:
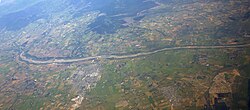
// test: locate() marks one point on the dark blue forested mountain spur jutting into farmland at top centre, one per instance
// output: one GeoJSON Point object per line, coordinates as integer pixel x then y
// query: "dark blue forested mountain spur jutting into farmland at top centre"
{"type": "Point", "coordinates": [115, 12]}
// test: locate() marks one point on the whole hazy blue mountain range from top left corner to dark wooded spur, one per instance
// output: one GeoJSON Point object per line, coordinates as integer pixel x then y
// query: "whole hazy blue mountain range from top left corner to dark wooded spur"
{"type": "Point", "coordinates": [15, 14]}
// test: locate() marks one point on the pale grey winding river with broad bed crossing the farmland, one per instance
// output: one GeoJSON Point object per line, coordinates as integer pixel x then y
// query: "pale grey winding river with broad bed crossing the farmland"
{"type": "Point", "coordinates": [30, 60]}
